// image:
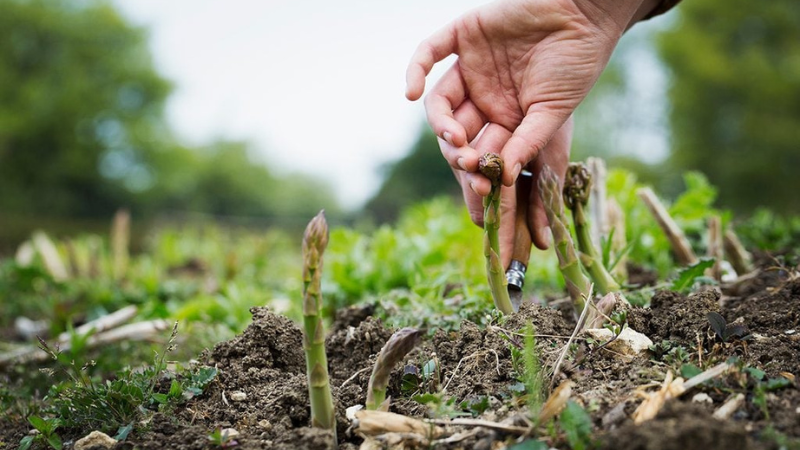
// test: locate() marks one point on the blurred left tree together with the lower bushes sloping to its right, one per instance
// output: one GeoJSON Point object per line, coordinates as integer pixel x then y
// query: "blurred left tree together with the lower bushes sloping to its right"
{"type": "Point", "coordinates": [82, 129]}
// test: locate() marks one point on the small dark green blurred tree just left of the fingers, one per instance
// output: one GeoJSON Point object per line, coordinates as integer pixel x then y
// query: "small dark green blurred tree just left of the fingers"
{"type": "Point", "coordinates": [422, 174]}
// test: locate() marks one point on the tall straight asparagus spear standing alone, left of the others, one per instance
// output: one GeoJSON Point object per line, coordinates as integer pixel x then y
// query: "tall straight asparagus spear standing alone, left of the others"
{"type": "Point", "coordinates": [315, 240]}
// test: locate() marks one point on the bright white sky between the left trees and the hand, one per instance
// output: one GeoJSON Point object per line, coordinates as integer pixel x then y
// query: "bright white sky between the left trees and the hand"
{"type": "Point", "coordinates": [316, 84]}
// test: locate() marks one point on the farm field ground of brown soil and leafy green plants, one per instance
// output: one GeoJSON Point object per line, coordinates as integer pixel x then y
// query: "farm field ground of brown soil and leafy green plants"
{"type": "Point", "coordinates": [719, 369]}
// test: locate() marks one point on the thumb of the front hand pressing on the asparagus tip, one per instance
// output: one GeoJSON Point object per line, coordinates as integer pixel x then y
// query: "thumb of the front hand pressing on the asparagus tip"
{"type": "Point", "coordinates": [529, 138]}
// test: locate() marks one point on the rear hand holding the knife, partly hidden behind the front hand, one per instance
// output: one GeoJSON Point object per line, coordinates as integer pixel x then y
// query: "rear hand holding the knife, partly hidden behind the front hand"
{"type": "Point", "coordinates": [555, 154]}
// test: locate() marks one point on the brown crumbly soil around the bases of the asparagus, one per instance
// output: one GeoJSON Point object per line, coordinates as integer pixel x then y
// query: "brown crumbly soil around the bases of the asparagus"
{"type": "Point", "coordinates": [267, 364]}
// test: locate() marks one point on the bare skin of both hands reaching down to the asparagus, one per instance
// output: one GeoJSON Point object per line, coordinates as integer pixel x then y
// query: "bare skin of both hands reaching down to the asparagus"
{"type": "Point", "coordinates": [523, 67]}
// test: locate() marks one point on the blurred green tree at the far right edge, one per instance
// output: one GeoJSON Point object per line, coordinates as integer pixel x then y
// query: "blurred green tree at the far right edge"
{"type": "Point", "coordinates": [735, 87]}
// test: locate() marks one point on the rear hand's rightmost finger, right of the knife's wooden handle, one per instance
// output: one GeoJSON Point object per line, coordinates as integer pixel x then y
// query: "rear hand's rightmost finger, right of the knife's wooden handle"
{"type": "Point", "coordinates": [555, 155]}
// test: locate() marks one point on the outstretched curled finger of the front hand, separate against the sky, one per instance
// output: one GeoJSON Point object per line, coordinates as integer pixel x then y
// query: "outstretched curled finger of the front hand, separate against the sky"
{"type": "Point", "coordinates": [432, 50]}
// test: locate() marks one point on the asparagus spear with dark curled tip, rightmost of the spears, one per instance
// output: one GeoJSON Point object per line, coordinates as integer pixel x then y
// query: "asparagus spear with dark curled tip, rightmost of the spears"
{"type": "Point", "coordinates": [577, 188]}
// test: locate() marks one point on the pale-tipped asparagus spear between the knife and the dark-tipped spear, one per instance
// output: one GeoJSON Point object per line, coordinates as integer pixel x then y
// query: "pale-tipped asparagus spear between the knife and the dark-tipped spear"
{"type": "Point", "coordinates": [578, 285]}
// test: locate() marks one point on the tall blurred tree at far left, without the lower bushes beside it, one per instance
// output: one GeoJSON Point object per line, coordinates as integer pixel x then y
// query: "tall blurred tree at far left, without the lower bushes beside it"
{"type": "Point", "coordinates": [80, 105]}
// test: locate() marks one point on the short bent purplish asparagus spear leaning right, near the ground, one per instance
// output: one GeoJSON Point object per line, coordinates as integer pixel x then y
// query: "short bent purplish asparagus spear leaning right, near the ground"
{"type": "Point", "coordinates": [393, 352]}
